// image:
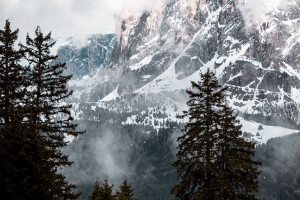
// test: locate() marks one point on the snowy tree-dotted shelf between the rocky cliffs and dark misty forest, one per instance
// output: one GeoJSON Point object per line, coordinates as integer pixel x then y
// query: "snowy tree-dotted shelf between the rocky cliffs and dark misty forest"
{"type": "Point", "coordinates": [159, 110]}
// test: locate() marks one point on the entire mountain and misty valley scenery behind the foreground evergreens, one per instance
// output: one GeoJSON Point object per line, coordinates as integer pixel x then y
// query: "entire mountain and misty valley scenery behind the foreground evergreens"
{"type": "Point", "coordinates": [130, 86]}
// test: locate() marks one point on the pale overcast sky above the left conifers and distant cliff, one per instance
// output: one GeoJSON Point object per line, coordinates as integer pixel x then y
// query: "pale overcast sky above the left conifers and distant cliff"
{"type": "Point", "coordinates": [66, 17]}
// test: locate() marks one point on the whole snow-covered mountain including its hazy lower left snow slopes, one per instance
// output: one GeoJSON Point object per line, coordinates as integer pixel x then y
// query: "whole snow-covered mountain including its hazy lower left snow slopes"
{"type": "Point", "coordinates": [158, 53]}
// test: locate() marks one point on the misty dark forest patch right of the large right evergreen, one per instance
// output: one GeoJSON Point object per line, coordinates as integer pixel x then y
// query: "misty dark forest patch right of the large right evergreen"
{"type": "Point", "coordinates": [280, 178]}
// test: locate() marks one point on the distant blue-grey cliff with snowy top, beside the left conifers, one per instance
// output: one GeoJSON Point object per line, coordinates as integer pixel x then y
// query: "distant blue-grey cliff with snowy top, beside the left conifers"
{"type": "Point", "coordinates": [83, 55]}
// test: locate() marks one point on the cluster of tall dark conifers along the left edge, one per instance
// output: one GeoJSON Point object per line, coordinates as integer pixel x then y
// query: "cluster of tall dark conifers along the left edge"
{"type": "Point", "coordinates": [32, 136]}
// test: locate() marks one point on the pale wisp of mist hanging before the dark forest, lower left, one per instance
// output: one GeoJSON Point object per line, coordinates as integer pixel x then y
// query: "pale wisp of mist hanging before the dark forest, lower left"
{"type": "Point", "coordinates": [99, 154]}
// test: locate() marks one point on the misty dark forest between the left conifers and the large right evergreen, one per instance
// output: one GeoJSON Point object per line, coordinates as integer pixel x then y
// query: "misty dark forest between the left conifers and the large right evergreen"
{"type": "Point", "coordinates": [140, 154]}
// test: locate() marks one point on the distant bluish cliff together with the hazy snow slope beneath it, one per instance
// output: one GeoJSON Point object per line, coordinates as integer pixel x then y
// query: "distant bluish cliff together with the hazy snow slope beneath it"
{"type": "Point", "coordinates": [86, 58]}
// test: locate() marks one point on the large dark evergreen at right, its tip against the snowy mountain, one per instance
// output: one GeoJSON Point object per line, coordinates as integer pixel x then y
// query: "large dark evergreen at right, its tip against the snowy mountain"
{"type": "Point", "coordinates": [212, 133]}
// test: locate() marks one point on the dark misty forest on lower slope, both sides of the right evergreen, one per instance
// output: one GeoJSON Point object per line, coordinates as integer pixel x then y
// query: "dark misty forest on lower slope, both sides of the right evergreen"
{"type": "Point", "coordinates": [144, 156]}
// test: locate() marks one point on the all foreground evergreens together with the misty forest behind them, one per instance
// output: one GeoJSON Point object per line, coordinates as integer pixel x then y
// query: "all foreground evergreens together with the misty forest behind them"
{"type": "Point", "coordinates": [205, 158]}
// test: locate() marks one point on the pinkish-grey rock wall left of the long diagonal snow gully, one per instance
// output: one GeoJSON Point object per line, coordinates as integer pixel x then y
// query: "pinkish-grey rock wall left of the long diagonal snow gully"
{"type": "Point", "coordinates": [149, 42]}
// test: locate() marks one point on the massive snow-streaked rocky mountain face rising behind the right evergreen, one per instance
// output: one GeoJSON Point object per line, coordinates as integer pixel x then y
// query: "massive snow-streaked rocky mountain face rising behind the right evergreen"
{"type": "Point", "coordinates": [167, 46]}
